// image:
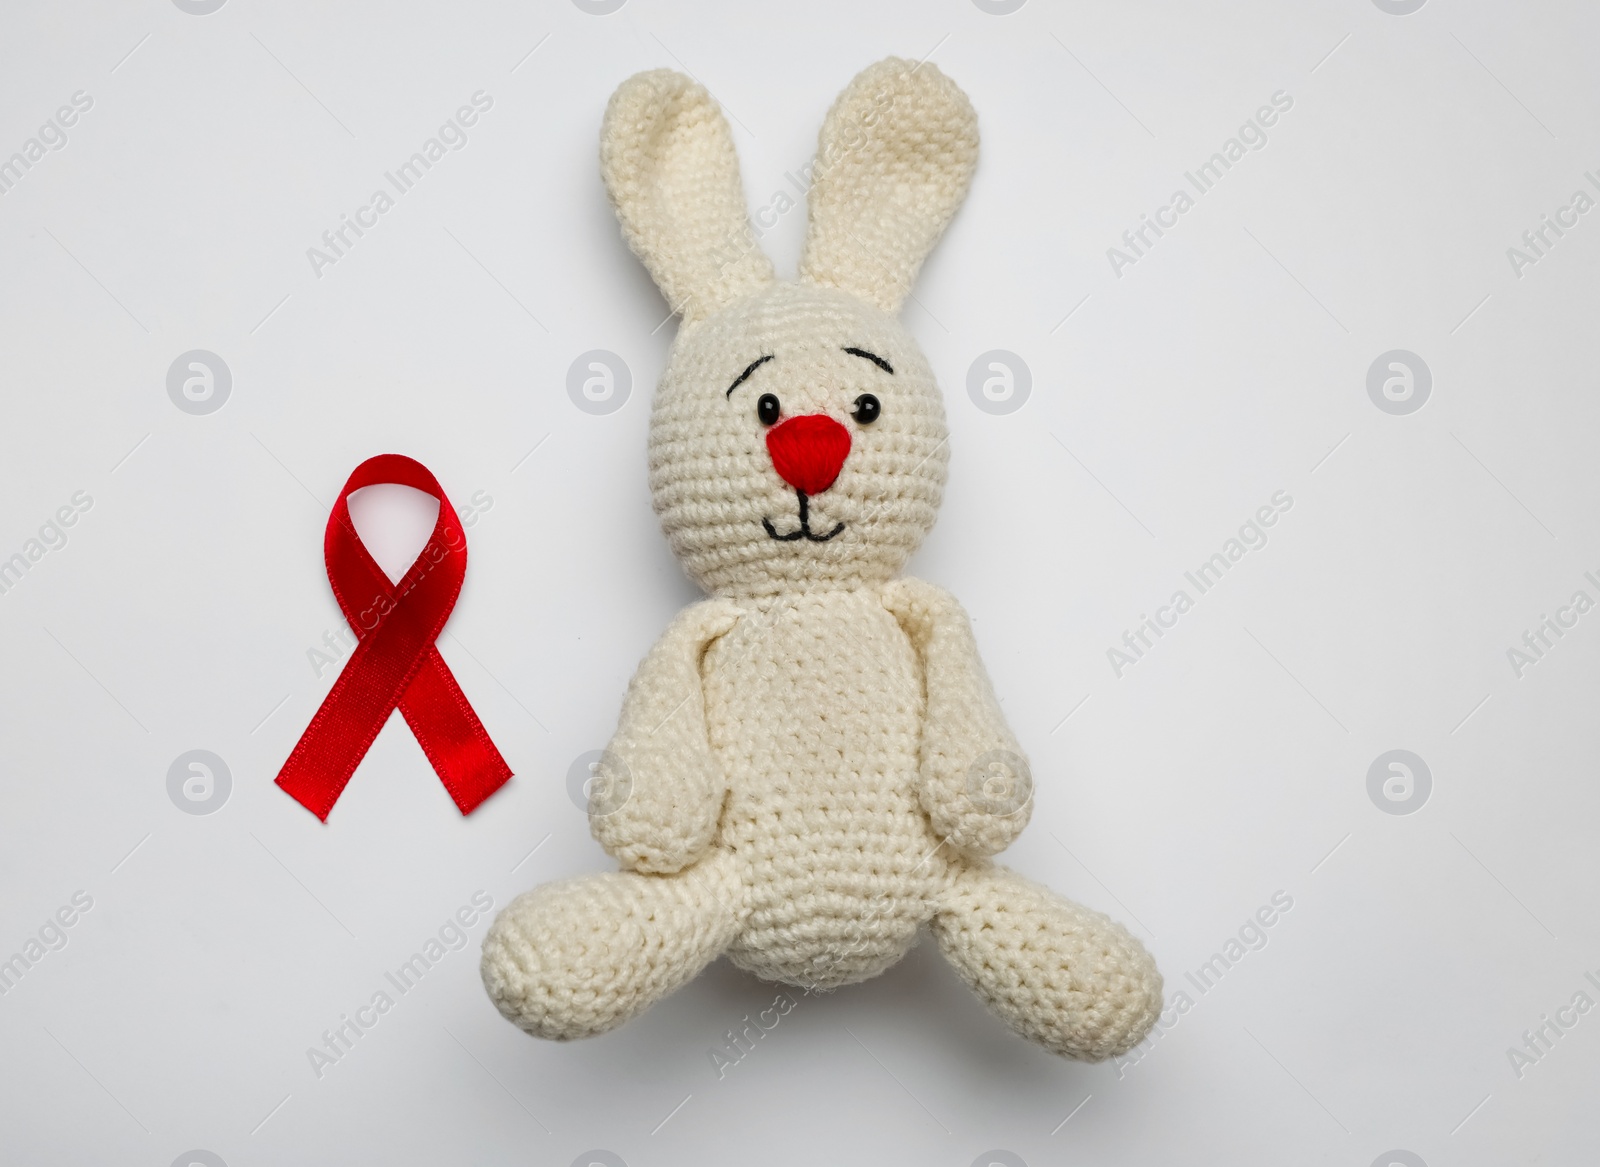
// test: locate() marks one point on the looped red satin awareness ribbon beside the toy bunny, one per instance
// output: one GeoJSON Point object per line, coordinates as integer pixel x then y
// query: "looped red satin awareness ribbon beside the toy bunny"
{"type": "Point", "coordinates": [396, 665]}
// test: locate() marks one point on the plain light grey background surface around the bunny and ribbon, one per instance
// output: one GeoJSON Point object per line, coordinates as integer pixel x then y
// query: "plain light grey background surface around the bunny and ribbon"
{"type": "Point", "coordinates": [1169, 403]}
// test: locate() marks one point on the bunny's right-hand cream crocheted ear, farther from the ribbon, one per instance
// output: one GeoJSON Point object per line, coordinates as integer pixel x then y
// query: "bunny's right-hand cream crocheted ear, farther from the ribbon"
{"type": "Point", "coordinates": [894, 164]}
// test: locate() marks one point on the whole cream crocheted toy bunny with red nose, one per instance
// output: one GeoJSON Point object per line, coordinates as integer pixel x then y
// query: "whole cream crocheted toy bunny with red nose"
{"type": "Point", "coordinates": [812, 763]}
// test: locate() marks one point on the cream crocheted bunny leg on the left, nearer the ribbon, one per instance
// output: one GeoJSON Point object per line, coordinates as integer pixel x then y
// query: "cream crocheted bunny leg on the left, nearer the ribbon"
{"type": "Point", "coordinates": [582, 956]}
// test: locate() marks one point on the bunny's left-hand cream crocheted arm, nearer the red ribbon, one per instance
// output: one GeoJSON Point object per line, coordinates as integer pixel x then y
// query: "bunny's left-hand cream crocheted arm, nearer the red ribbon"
{"type": "Point", "coordinates": [658, 788]}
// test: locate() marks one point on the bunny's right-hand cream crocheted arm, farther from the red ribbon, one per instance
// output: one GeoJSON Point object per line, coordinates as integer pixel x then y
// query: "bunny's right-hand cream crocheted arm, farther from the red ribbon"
{"type": "Point", "coordinates": [974, 785]}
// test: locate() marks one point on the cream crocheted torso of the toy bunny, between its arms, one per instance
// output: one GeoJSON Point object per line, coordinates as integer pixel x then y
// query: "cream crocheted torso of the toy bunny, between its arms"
{"type": "Point", "coordinates": [820, 729]}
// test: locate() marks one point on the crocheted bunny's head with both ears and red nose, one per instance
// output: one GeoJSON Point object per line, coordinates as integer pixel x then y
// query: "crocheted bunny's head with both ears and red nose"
{"type": "Point", "coordinates": [798, 436]}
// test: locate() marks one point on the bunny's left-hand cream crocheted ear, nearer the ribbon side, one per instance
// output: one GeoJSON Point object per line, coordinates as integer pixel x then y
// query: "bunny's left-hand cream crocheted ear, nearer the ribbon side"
{"type": "Point", "coordinates": [670, 167]}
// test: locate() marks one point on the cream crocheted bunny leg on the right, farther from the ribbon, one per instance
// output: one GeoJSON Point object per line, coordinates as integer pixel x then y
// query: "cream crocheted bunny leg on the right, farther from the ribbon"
{"type": "Point", "coordinates": [1057, 972]}
